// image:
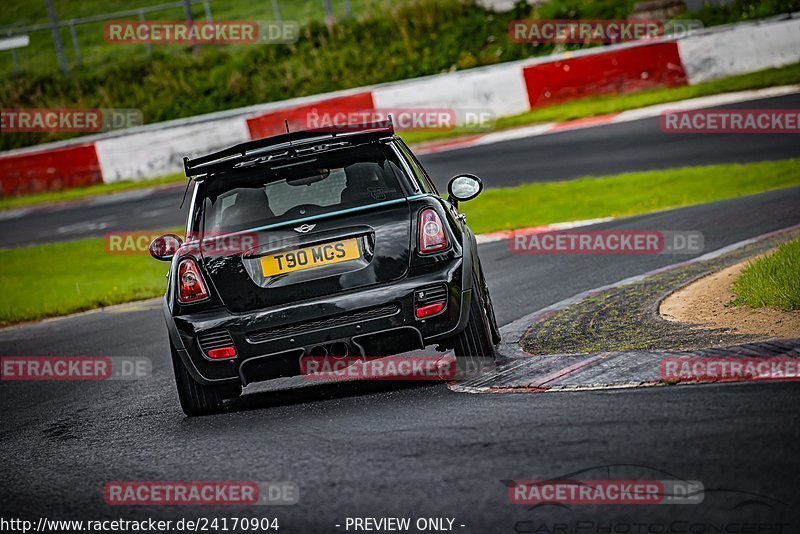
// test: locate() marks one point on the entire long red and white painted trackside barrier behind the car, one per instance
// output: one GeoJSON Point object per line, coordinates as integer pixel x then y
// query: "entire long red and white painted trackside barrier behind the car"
{"type": "Point", "coordinates": [506, 89]}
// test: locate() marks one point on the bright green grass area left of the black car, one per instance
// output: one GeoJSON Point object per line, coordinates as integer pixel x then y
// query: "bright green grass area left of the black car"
{"type": "Point", "coordinates": [58, 279]}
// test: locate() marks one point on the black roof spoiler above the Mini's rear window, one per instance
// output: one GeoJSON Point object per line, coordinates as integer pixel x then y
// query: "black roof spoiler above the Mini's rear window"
{"type": "Point", "coordinates": [230, 157]}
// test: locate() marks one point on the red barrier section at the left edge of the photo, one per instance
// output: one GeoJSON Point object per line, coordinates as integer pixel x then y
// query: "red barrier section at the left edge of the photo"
{"type": "Point", "coordinates": [49, 170]}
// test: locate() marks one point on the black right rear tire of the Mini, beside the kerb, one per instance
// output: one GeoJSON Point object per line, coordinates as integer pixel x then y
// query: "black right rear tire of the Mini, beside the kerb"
{"type": "Point", "coordinates": [473, 347]}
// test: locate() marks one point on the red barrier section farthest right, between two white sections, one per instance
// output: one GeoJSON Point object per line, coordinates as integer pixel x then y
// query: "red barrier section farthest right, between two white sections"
{"type": "Point", "coordinates": [616, 71]}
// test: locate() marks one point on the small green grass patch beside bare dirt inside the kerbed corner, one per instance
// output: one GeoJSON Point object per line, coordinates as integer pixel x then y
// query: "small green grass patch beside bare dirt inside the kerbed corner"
{"type": "Point", "coordinates": [772, 281]}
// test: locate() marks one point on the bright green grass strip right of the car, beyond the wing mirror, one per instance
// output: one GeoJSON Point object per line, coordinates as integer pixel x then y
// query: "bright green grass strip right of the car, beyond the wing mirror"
{"type": "Point", "coordinates": [624, 194]}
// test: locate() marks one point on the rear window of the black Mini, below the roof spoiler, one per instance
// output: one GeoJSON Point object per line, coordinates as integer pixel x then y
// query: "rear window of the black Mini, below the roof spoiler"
{"type": "Point", "coordinates": [288, 189]}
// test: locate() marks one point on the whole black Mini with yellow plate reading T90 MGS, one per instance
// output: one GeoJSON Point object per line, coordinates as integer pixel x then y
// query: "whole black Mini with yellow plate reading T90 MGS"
{"type": "Point", "coordinates": [316, 243]}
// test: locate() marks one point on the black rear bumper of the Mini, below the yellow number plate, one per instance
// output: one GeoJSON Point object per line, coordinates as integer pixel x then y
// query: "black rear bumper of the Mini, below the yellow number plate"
{"type": "Point", "coordinates": [371, 321]}
